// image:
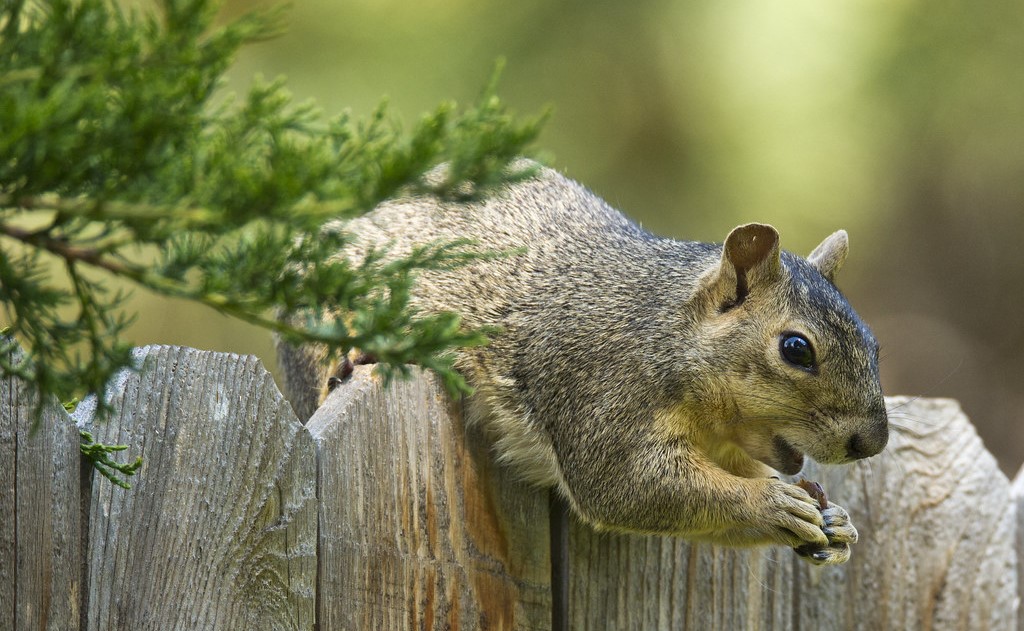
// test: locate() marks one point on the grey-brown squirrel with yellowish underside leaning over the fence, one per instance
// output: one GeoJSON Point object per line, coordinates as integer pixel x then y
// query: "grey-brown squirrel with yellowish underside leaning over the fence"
{"type": "Point", "coordinates": [661, 387]}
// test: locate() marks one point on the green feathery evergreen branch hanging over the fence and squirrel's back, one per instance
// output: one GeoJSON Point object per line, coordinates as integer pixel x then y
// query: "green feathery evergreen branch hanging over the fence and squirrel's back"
{"type": "Point", "coordinates": [116, 162]}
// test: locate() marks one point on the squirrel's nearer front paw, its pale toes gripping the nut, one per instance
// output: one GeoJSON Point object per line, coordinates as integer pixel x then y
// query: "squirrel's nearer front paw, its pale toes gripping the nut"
{"type": "Point", "coordinates": [793, 516]}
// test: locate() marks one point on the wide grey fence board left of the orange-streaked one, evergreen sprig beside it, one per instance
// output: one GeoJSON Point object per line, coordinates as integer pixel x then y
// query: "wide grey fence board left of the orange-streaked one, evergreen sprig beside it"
{"type": "Point", "coordinates": [220, 529]}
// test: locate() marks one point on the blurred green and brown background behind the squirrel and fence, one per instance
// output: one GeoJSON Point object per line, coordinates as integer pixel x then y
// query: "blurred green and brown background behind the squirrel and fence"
{"type": "Point", "coordinates": [901, 121]}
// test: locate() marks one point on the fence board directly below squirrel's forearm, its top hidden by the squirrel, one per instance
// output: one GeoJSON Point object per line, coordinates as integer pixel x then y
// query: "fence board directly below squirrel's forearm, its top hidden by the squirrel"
{"type": "Point", "coordinates": [633, 582]}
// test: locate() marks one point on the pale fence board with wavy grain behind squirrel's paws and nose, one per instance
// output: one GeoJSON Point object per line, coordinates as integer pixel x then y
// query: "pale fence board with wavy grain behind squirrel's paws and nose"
{"type": "Point", "coordinates": [937, 532]}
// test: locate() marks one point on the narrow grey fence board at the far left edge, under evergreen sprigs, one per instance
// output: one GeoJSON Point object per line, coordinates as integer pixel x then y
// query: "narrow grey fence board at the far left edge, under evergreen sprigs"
{"type": "Point", "coordinates": [40, 561]}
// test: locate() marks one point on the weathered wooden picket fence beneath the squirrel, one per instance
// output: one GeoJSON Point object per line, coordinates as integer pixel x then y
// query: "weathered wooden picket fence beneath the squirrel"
{"type": "Point", "coordinates": [386, 512]}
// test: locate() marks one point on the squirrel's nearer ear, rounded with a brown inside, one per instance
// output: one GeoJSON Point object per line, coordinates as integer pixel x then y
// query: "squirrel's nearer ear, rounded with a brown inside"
{"type": "Point", "coordinates": [750, 249]}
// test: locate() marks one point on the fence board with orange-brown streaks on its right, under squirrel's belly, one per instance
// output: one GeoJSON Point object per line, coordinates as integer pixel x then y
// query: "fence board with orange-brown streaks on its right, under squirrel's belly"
{"type": "Point", "coordinates": [419, 530]}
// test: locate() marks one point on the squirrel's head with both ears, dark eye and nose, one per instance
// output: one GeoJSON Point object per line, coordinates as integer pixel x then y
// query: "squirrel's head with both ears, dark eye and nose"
{"type": "Point", "coordinates": [791, 367]}
